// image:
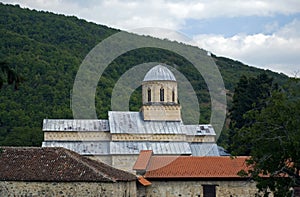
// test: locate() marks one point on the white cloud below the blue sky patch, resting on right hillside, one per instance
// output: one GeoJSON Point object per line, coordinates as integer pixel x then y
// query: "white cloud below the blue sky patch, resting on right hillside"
{"type": "Point", "coordinates": [278, 52]}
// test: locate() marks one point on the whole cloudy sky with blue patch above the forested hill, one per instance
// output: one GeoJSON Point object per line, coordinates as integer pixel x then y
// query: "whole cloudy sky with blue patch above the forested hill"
{"type": "Point", "coordinates": [260, 33]}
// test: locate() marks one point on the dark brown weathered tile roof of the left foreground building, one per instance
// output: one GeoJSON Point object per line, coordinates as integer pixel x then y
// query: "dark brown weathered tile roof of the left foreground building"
{"type": "Point", "coordinates": [55, 164]}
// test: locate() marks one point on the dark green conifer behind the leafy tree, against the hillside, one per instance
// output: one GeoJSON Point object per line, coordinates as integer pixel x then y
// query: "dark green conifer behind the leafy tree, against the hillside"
{"type": "Point", "coordinates": [250, 93]}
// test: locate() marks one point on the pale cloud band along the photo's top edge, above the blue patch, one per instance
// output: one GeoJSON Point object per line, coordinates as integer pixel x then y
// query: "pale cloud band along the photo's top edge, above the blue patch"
{"type": "Point", "coordinates": [160, 13]}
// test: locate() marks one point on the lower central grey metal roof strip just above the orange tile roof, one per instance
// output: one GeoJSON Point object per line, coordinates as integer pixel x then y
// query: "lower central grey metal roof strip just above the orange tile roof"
{"type": "Point", "coordinates": [134, 147]}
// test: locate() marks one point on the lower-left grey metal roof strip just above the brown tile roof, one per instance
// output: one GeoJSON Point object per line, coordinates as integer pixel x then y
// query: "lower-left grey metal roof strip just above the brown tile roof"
{"type": "Point", "coordinates": [83, 148]}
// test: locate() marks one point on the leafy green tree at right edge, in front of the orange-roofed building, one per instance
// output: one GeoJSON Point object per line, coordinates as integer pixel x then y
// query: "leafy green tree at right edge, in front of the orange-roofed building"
{"type": "Point", "coordinates": [275, 140]}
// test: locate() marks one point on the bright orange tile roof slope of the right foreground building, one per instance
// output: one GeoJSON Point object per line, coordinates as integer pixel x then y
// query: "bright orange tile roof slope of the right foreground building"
{"type": "Point", "coordinates": [194, 167]}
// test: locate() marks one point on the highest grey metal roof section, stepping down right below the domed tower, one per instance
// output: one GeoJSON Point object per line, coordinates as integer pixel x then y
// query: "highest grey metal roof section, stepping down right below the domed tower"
{"type": "Point", "coordinates": [132, 123]}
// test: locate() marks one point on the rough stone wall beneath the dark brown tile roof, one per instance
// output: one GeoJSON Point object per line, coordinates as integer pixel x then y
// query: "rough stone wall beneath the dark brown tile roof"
{"type": "Point", "coordinates": [60, 189]}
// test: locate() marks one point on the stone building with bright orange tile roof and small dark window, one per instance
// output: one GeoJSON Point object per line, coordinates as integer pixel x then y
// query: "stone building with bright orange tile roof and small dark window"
{"type": "Point", "coordinates": [192, 176]}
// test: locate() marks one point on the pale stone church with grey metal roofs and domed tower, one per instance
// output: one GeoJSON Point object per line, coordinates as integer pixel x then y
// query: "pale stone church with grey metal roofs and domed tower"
{"type": "Point", "coordinates": [157, 126]}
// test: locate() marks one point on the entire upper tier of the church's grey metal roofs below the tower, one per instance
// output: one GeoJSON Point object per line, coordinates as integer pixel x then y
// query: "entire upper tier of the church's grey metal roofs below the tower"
{"type": "Point", "coordinates": [127, 122]}
